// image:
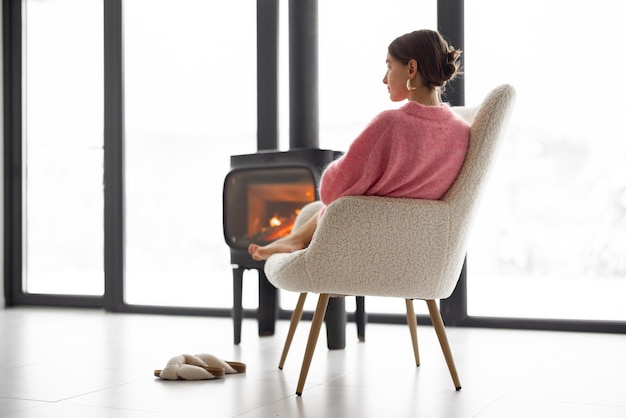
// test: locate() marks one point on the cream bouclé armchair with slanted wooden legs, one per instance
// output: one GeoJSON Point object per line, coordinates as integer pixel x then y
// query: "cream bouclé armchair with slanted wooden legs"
{"type": "Point", "coordinates": [394, 247]}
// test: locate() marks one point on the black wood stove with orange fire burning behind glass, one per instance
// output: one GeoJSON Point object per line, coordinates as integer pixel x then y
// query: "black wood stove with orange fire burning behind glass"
{"type": "Point", "coordinates": [263, 193]}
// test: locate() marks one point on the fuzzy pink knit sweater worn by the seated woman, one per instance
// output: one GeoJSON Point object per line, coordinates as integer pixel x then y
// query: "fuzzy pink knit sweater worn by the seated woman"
{"type": "Point", "coordinates": [415, 151]}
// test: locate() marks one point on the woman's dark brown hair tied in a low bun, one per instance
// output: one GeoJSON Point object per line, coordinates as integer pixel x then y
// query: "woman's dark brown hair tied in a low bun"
{"type": "Point", "coordinates": [437, 62]}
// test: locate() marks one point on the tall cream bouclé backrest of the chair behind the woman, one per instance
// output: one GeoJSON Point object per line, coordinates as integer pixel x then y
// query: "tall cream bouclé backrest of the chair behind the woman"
{"type": "Point", "coordinates": [464, 196]}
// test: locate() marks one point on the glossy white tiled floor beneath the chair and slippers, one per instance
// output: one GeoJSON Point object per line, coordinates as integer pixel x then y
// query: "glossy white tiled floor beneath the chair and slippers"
{"type": "Point", "coordinates": [88, 363]}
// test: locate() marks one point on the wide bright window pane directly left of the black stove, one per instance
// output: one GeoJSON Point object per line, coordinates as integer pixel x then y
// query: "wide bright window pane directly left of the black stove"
{"type": "Point", "coordinates": [190, 96]}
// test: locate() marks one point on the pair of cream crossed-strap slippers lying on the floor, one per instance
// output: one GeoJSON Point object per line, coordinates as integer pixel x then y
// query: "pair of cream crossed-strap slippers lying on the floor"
{"type": "Point", "coordinates": [198, 367]}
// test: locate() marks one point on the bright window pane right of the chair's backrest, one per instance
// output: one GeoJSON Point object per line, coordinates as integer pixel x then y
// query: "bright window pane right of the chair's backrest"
{"type": "Point", "coordinates": [550, 241]}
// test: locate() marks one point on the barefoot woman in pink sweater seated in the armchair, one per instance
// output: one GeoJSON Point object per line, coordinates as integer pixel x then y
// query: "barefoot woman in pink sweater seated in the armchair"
{"type": "Point", "coordinates": [415, 151]}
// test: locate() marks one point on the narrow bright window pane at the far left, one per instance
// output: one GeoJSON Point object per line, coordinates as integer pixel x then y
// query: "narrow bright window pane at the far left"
{"type": "Point", "coordinates": [63, 155]}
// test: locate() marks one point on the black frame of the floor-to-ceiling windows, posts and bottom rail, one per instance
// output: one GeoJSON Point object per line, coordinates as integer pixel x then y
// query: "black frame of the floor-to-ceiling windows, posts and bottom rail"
{"type": "Point", "coordinates": [450, 18]}
